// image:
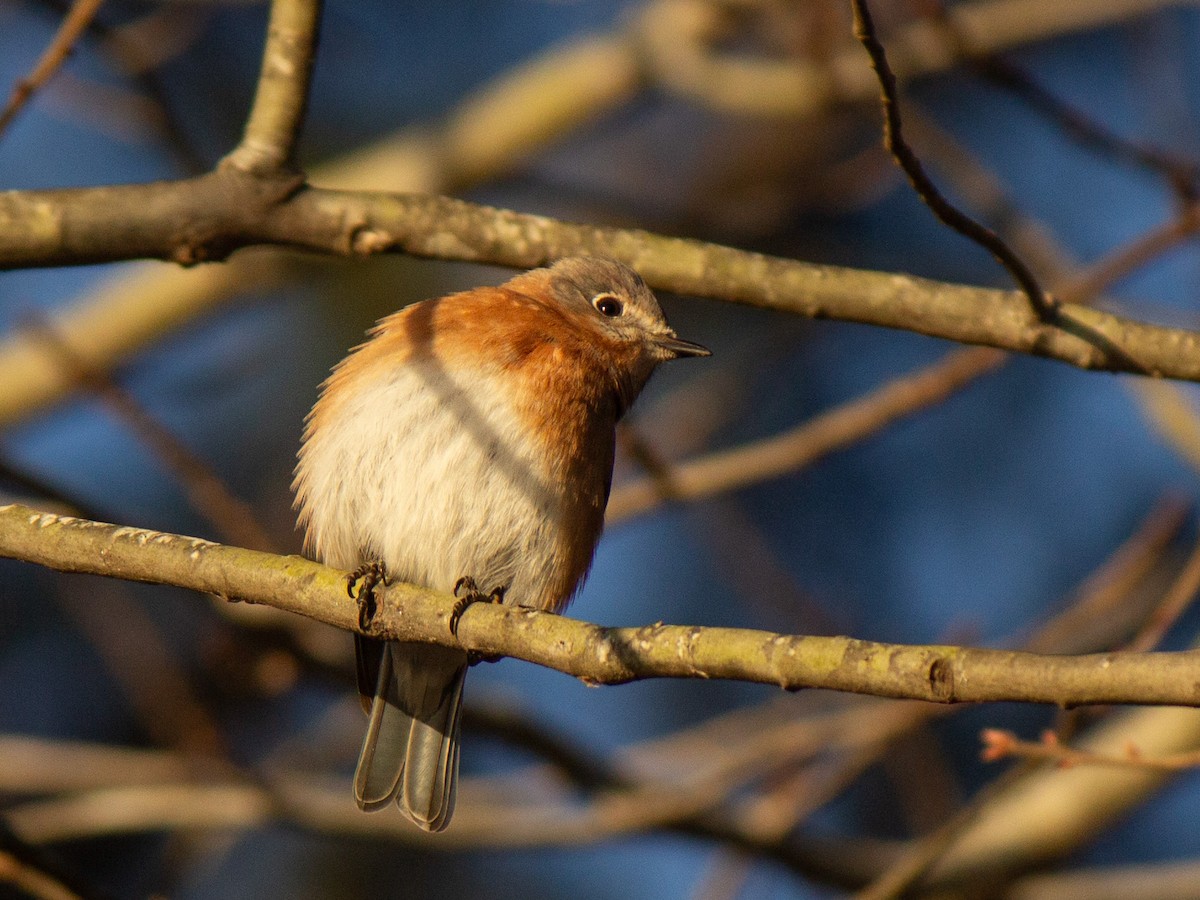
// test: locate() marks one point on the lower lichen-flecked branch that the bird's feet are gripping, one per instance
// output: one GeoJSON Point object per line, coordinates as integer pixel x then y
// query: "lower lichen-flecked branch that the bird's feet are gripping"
{"type": "Point", "coordinates": [604, 656]}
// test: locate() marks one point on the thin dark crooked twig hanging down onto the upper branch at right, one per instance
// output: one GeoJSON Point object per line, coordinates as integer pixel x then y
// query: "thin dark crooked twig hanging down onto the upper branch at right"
{"type": "Point", "coordinates": [1043, 307]}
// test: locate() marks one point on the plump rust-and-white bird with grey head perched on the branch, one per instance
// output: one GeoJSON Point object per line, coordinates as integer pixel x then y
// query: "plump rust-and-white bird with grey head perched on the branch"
{"type": "Point", "coordinates": [467, 446]}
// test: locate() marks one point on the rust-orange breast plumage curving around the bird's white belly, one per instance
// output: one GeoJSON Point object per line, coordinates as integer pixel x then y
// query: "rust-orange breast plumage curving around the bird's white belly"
{"type": "Point", "coordinates": [563, 376]}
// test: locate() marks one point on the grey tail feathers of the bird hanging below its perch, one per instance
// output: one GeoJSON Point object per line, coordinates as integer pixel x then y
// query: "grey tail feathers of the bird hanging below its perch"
{"type": "Point", "coordinates": [411, 749]}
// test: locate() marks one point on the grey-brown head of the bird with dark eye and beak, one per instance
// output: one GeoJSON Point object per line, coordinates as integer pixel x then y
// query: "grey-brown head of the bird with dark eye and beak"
{"type": "Point", "coordinates": [615, 301]}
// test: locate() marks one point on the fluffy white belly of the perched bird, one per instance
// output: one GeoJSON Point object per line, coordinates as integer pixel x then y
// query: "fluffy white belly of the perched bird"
{"type": "Point", "coordinates": [433, 475]}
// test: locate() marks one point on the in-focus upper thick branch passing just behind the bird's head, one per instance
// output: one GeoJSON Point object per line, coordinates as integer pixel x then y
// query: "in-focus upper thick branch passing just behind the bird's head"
{"type": "Point", "coordinates": [209, 218]}
